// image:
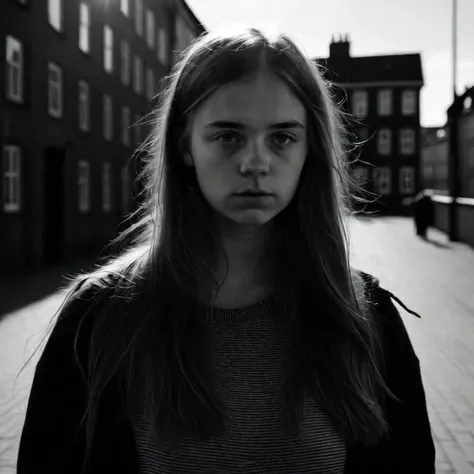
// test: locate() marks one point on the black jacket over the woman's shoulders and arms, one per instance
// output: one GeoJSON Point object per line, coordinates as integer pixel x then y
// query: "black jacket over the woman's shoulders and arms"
{"type": "Point", "coordinates": [52, 440]}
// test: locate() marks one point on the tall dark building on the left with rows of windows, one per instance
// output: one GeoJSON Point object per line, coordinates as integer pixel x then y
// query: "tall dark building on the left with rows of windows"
{"type": "Point", "coordinates": [77, 79]}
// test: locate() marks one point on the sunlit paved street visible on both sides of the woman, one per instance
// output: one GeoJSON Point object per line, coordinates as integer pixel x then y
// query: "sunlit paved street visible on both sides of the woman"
{"type": "Point", "coordinates": [435, 279]}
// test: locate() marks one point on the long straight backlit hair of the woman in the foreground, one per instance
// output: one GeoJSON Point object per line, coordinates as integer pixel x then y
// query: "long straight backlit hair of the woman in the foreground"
{"type": "Point", "coordinates": [148, 329]}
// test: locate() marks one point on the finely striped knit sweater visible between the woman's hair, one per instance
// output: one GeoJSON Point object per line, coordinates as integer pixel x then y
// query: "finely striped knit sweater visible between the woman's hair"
{"type": "Point", "coordinates": [250, 348]}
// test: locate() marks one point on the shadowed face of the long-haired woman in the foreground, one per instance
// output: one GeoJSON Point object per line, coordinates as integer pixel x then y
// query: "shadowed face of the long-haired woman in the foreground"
{"type": "Point", "coordinates": [248, 144]}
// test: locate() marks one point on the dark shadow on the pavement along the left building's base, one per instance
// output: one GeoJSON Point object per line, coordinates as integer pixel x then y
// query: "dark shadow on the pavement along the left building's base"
{"type": "Point", "coordinates": [23, 290]}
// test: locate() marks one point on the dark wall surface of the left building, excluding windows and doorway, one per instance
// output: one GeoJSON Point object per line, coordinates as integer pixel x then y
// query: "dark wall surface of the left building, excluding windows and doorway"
{"type": "Point", "coordinates": [22, 236]}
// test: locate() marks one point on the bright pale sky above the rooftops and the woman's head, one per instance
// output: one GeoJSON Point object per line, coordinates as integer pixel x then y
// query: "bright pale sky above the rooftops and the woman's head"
{"type": "Point", "coordinates": [375, 27]}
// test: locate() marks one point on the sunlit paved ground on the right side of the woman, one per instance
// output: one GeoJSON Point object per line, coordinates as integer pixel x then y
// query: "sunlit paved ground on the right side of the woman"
{"type": "Point", "coordinates": [437, 282]}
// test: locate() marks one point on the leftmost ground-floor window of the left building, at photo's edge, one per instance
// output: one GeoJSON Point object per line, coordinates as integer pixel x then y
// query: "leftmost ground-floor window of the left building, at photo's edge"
{"type": "Point", "coordinates": [11, 178]}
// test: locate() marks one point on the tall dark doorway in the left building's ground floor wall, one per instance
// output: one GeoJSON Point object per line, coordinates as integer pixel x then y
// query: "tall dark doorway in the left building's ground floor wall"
{"type": "Point", "coordinates": [54, 219]}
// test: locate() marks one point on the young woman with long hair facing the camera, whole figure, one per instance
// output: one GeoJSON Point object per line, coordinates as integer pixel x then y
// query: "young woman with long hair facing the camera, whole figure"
{"type": "Point", "coordinates": [232, 335]}
